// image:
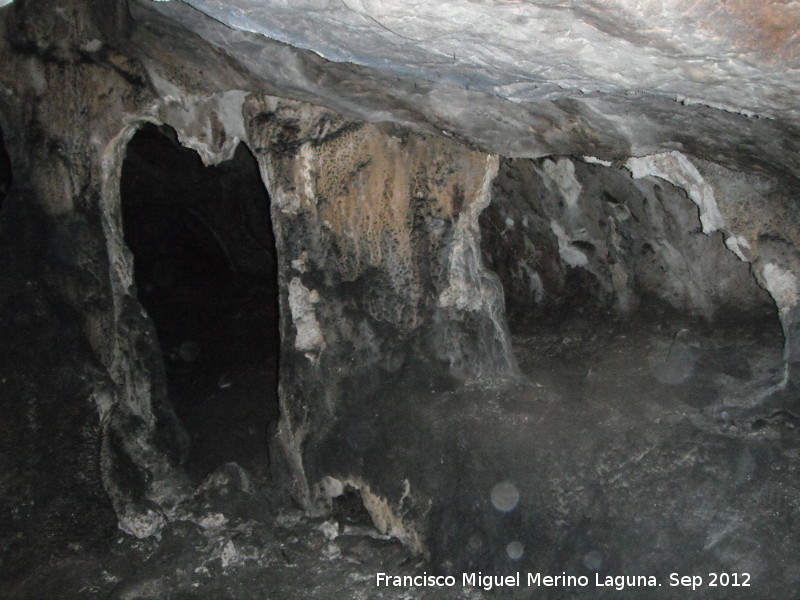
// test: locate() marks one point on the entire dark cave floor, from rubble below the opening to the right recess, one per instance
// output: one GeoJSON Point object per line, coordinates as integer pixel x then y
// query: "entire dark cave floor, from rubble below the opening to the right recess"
{"type": "Point", "coordinates": [627, 448]}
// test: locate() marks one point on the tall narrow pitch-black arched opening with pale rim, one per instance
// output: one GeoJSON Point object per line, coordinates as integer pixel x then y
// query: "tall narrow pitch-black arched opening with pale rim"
{"type": "Point", "coordinates": [205, 272]}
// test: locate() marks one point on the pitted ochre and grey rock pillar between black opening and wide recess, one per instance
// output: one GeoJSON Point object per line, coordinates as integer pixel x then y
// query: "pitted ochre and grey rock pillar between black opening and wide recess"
{"type": "Point", "coordinates": [380, 264]}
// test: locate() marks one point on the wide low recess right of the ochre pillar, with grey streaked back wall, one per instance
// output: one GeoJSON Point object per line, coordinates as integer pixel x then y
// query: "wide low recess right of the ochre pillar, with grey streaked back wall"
{"type": "Point", "coordinates": [614, 294]}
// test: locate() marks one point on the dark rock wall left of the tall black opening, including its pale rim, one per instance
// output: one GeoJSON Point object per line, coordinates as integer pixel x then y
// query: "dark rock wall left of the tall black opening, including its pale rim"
{"type": "Point", "coordinates": [64, 98]}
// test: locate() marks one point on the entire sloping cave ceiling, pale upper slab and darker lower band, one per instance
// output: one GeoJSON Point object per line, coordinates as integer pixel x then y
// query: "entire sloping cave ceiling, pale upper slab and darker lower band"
{"type": "Point", "coordinates": [609, 78]}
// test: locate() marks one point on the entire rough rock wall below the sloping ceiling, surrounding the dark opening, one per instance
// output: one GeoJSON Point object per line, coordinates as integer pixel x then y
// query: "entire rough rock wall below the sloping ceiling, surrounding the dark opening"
{"type": "Point", "coordinates": [380, 267]}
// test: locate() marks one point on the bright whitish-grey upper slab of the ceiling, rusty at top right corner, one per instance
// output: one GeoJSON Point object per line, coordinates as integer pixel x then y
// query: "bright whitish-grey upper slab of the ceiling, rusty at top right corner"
{"type": "Point", "coordinates": [736, 56]}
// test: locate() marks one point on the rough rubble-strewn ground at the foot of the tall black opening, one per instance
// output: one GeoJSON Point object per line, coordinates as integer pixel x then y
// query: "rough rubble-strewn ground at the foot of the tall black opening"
{"type": "Point", "coordinates": [231, 542]}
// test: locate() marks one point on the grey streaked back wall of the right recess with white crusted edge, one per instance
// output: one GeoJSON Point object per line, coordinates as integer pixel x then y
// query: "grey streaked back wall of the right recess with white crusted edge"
{"type": "Point", "coordinates": [698, 236]}
